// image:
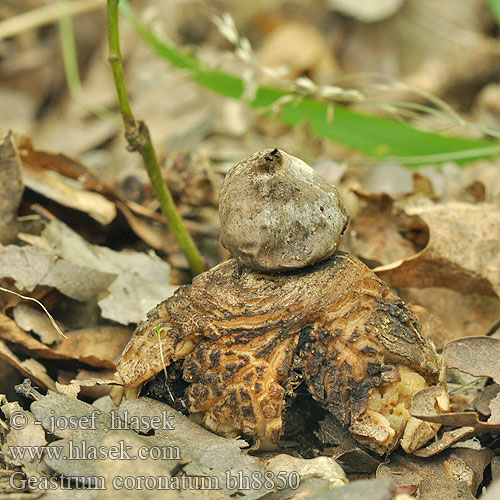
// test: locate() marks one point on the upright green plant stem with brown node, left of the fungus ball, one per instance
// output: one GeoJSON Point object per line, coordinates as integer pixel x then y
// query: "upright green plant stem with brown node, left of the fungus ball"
{"type": "Point", "coordinates": [139, 139]}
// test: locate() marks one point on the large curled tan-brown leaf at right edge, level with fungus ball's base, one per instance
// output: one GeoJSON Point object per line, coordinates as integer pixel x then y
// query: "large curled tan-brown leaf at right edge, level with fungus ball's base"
{"type": "Point", "coordinates": [463, 252]}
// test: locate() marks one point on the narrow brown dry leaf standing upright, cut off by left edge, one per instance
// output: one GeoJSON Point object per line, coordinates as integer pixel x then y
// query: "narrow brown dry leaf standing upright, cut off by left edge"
{"type": "Point", "coordinates": [11, 189]}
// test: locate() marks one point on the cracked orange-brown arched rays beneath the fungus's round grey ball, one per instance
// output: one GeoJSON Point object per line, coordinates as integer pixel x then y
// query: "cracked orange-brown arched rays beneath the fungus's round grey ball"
{"type": "Point", "coordinates": [241, 334]}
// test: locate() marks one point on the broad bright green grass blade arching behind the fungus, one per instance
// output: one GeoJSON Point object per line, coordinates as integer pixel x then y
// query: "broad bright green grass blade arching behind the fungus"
{"type": "Point", "coordinates": [375, 136]}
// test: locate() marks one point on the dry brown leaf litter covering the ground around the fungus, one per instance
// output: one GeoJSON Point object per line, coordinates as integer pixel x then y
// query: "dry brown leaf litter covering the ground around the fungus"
{"type": "Point", "coordinates": [85, 252]}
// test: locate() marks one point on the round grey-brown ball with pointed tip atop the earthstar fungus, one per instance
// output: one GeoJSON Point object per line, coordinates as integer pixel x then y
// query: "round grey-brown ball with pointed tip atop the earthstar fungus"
{"type": "Point", "coordinates": [277, 214]}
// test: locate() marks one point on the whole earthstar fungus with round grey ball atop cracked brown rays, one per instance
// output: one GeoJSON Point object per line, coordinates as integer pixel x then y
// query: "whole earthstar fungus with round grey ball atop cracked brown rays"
{"type": "Point", "coordinates": [241, 332]}
